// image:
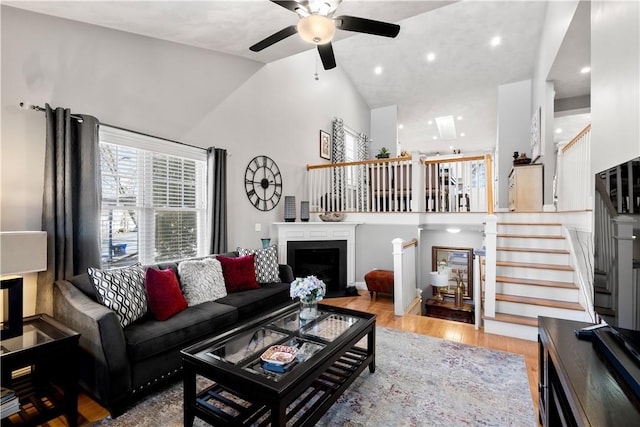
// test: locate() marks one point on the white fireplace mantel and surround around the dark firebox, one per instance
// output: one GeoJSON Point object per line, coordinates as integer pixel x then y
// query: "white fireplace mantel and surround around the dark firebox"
{"type": "Point", "coordinates": [296, 231]}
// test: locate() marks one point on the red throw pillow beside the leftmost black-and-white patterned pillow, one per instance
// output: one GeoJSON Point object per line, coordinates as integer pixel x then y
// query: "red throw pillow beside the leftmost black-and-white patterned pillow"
{"type": "Point", "coordinates": [164, 297]}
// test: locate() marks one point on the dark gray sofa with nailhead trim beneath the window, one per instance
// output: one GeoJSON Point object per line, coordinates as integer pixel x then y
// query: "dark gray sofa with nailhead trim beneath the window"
{"type": "Point", "coordinates": [119, 365]}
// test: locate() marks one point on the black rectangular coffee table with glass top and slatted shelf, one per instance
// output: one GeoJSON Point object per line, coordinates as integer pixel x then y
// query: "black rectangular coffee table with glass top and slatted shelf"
{"type": "Point", "coordinates": [254, 384]}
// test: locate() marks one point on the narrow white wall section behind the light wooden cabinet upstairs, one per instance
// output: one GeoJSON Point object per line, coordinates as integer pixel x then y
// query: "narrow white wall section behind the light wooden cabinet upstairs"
{"type": "Point", "coordinates": [514, 118]}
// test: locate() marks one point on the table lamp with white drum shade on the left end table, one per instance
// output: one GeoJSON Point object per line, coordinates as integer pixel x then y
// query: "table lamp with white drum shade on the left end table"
{"type": "Point", "coordinates": [20, 252]}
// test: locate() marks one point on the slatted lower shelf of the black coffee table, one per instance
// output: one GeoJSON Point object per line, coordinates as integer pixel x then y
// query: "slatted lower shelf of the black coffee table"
{"type": "Point", "coordinates": [220, 406]}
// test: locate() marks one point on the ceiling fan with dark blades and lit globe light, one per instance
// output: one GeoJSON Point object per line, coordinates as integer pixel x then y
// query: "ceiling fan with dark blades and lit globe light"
{"type": "Point", "coordinates": [317, 25]}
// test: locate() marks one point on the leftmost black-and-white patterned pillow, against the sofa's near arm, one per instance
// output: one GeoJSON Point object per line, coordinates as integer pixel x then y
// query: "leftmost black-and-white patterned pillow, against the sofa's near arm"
{"type": "Point", "coordinates": [122, 290]}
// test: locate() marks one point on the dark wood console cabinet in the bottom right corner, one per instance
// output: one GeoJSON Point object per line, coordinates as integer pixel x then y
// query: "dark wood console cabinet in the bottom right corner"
{"type": "Point", "coordinates": [577, 387]}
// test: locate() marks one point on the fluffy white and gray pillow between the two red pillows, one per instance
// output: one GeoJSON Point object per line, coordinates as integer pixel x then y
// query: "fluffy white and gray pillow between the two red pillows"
{"type": "Point", "coordinates": [201, 280]}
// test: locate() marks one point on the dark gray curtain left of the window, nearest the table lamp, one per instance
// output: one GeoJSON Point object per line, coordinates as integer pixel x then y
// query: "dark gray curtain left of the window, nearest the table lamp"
{"type": "Point", "coordinates": [71, 200]}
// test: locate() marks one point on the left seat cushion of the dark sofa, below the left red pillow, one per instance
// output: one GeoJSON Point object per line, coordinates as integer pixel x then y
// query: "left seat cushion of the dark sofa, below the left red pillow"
{"type": "Point", "coordinates": [146, 339]}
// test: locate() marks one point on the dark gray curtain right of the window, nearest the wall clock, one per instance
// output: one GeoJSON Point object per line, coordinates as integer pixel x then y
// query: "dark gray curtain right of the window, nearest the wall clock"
{"type": "Point", "coordinates": [217, 199]}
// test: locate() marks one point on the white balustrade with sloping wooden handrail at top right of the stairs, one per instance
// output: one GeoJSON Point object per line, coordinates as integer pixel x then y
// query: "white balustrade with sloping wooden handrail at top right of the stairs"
{"type": "Point", "coordinates": [574, 180]}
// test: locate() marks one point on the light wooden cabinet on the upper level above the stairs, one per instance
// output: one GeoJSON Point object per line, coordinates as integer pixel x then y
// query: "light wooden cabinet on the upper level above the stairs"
{"type": "Point", "coordinates": [525, 188]}
